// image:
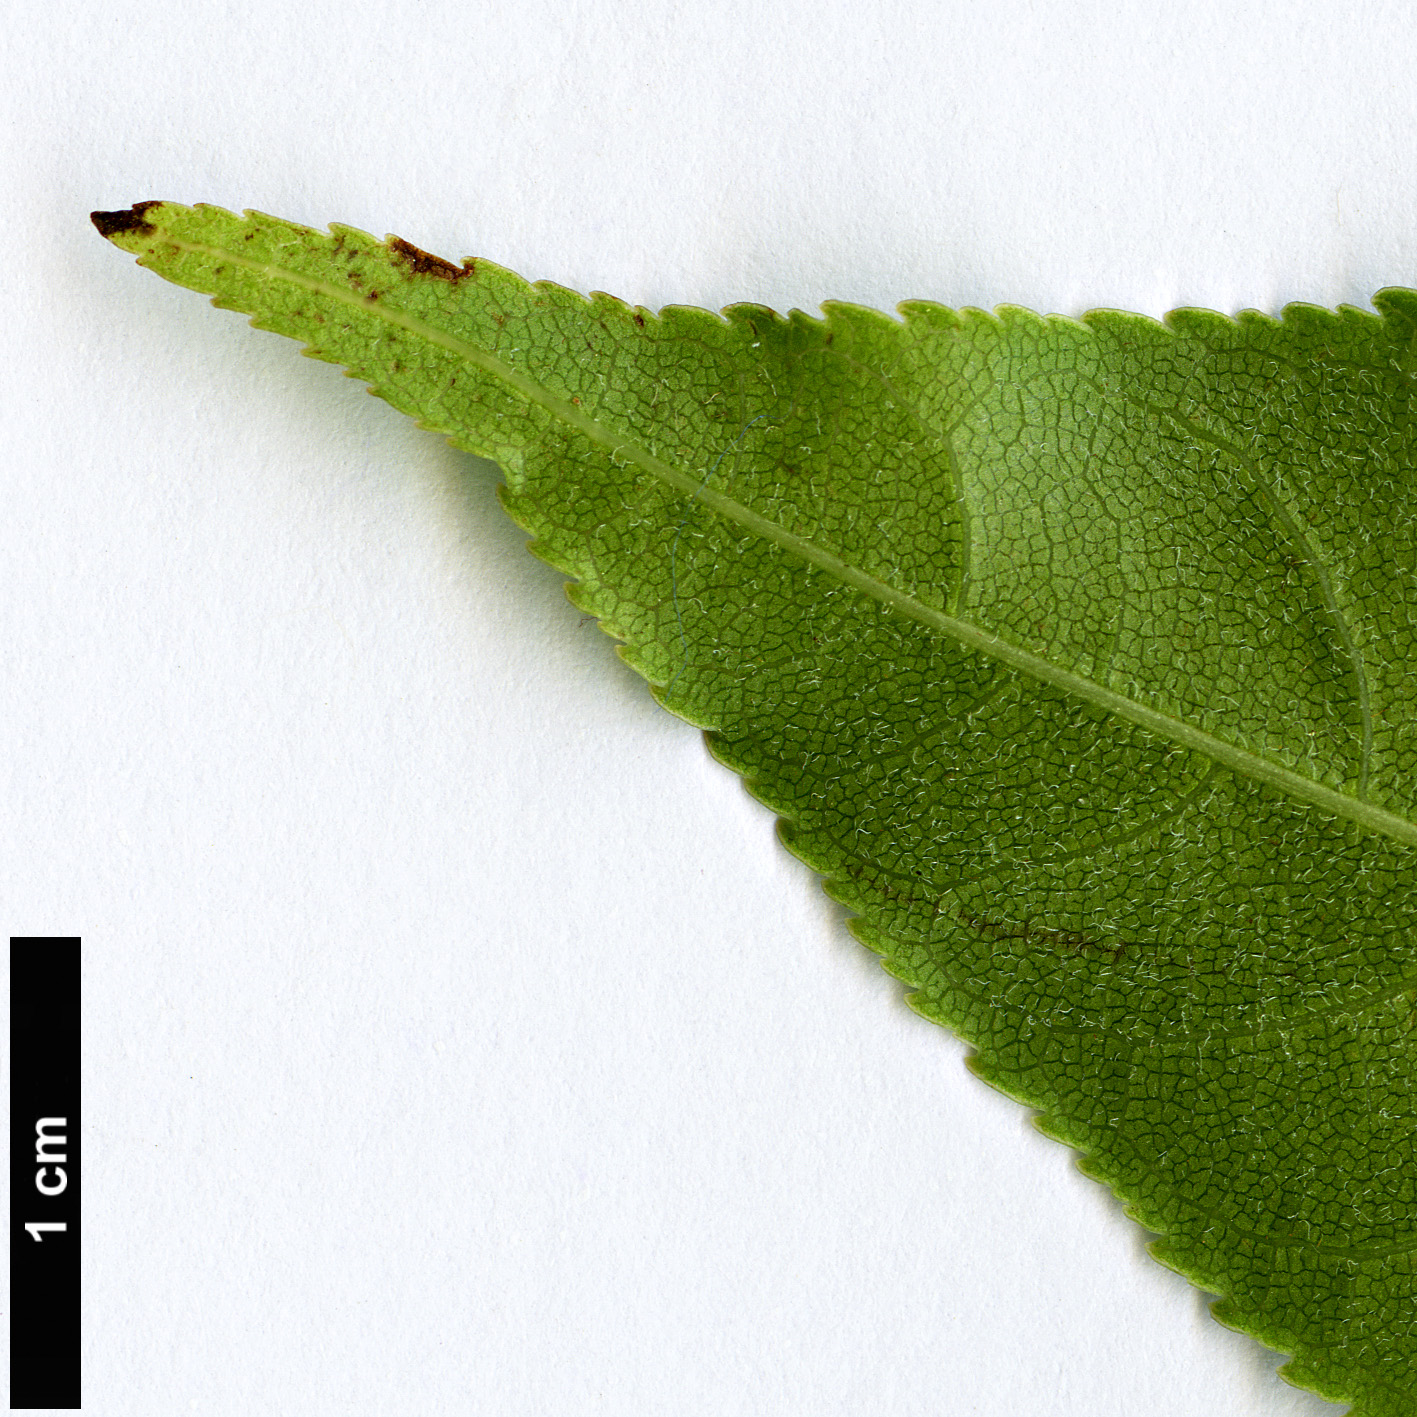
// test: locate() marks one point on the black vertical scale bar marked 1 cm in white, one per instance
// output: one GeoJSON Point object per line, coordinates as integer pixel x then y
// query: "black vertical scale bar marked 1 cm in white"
{"type": "Point", "coordinates": [45, 1173]}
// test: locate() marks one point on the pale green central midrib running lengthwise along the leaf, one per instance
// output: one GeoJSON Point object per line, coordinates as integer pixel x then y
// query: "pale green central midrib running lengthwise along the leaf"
{"type": "Point", "coordinates": [1239, 760]}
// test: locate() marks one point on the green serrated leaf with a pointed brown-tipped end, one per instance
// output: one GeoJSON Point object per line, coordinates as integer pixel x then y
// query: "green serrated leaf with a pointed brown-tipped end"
{"type": "Point", "coordinates": [1080, 658]}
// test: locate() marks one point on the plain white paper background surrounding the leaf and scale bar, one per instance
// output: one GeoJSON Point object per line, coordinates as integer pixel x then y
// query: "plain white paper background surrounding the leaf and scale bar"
{"type": "Point", "coordinates": [458, 1038]}
